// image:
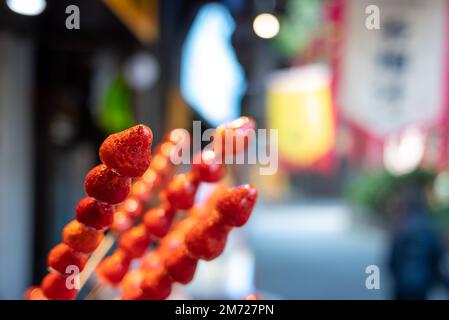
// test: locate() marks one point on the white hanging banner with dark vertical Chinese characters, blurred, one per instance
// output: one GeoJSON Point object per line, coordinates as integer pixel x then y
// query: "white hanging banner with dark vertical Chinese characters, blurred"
{"type": "Point", "coordinates": [393, 75]}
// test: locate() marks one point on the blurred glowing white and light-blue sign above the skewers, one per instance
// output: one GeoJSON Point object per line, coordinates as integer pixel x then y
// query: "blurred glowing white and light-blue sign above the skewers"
{"type": "Point", "coordinates": [212, 80]}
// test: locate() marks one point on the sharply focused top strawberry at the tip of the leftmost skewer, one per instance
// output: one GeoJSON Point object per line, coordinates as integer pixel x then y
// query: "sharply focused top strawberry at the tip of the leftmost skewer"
{"type": "Point", "coordinates": [128, 152]}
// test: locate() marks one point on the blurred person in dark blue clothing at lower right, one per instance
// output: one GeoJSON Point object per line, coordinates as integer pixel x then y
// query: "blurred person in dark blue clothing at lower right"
{"type": "Point", "coordinates": [416, 248]}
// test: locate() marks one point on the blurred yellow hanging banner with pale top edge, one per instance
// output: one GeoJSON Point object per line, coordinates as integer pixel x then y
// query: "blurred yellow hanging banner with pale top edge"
{"type": "Point", "coordinates": [300, 107]}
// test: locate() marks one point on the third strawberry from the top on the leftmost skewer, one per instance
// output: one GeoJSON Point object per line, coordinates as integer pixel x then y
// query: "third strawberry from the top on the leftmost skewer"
{"type": "Point", "coordinates": [94, 214]}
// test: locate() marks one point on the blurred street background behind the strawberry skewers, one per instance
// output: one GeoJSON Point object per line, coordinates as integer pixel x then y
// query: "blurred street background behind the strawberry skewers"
{"type": "Point", "coordinates": [356, 92]}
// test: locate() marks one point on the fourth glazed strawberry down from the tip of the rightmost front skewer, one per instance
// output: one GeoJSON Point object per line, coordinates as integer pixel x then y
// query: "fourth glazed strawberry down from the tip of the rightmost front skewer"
{"type": "Point", "coordinates": [156, 284]}
